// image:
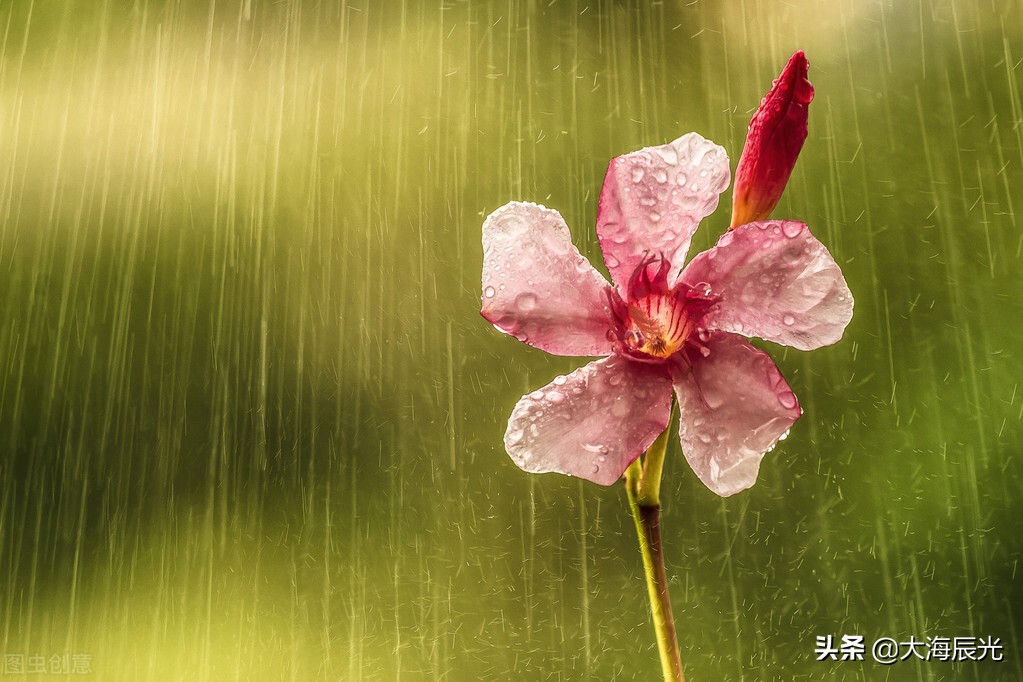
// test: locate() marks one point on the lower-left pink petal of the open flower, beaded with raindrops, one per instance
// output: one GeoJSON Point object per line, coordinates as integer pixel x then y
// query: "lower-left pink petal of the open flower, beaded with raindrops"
{"type": "Point", "coordinates": [594, 423]}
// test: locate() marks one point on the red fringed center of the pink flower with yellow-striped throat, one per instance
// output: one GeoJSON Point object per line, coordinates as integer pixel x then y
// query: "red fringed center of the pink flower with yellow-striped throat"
{"type": "Point", "coordinates": [657, 322]}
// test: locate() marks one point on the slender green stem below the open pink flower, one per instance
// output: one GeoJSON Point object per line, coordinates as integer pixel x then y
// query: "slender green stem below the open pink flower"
{"type": "Point", "coordinates": [643, 483]}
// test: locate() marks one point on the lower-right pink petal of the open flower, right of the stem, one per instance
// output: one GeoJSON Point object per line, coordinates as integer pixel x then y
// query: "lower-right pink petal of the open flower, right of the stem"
{"type": "Point", "coordinates": [735, 406]}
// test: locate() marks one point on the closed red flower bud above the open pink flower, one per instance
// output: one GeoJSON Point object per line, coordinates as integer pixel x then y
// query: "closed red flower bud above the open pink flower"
{"type": "Point", "coordinates": [777, 134]}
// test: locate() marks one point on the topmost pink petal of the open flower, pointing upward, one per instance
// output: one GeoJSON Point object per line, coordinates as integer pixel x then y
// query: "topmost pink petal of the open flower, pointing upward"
{"type": "Point", "coordinates": [653, 202]}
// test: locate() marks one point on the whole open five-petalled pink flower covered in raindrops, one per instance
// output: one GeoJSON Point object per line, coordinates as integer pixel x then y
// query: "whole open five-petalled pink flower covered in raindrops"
{"type": "Point", "coordinates": [664, 329]}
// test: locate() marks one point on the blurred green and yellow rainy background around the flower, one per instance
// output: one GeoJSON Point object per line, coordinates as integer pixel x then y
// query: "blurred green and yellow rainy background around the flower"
{"type": "Point", "coordinates": [251, 422]}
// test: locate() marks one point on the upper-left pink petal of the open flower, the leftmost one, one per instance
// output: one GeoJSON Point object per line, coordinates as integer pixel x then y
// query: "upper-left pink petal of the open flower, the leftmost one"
{"type": "Point", "coordinates": [538, 287]}
